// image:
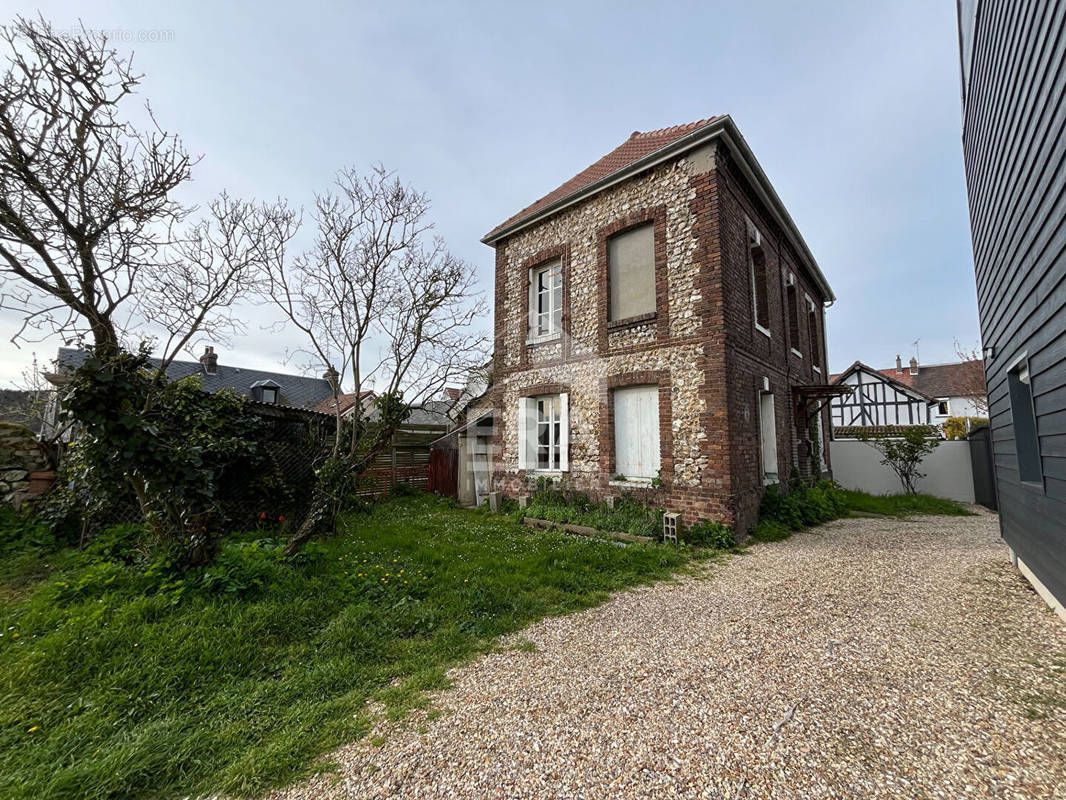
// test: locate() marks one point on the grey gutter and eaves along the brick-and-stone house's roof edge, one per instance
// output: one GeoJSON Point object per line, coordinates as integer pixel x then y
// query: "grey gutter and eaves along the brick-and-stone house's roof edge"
{"type": "Point", "coordinates": [723, 129]}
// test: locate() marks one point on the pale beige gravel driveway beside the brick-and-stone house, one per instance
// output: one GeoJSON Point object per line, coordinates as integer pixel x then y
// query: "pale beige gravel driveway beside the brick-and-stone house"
{"type": "Point", "coordinates": [867, 659]}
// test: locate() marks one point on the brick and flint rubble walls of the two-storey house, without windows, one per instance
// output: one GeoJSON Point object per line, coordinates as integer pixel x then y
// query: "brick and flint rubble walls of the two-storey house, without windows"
{"type": "Point", "coordinates": [700, 346]}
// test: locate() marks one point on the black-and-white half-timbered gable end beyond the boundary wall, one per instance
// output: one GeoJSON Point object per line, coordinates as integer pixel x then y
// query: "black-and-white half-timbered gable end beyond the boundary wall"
{"type": "Point", "coordinates": [877, 399]}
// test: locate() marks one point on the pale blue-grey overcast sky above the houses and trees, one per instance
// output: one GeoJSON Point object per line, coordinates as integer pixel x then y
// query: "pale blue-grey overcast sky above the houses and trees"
{"type": "Point", "coordinates": [852, 109]}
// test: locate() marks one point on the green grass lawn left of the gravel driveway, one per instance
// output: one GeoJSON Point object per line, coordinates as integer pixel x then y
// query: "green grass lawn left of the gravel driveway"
{"type": "Point", "coordinates": [121, 682]}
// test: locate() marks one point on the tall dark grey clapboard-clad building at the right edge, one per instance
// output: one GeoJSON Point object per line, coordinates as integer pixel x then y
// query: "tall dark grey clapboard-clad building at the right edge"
{"type": "Point", "coordinates": [1015, 155]}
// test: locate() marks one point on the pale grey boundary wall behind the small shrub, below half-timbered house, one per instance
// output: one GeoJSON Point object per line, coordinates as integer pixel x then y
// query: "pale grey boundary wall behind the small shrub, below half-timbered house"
{"type": "Point", "coordinates": [949, 472]}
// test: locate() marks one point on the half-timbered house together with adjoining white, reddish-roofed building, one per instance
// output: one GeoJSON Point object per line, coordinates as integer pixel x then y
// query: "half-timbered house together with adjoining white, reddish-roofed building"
{"type": "Point", "coordinates": [913, 395]}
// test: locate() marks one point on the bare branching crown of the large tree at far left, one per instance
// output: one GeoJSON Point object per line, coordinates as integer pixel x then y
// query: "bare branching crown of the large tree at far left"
{"type": "Point", "coordinates": [92, 241]}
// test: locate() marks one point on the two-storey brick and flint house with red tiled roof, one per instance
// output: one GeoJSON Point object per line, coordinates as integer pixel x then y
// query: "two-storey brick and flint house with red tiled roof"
{"type": "Point", "coordinates": [660, 329]}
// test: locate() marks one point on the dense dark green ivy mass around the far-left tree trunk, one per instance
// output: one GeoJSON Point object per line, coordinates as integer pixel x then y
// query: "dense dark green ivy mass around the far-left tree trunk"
{"type": "Point", "coordinates": [176, 451]}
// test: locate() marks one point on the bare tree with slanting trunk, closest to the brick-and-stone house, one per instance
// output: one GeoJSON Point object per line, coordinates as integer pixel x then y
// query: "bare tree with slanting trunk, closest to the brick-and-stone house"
{"type": "Point", "coordinates": [379, 301]}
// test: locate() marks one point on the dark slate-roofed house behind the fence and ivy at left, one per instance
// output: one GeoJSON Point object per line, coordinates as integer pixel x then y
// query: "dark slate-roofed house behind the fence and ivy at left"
{"type": "Point", "coordinates": [268, 389]}
